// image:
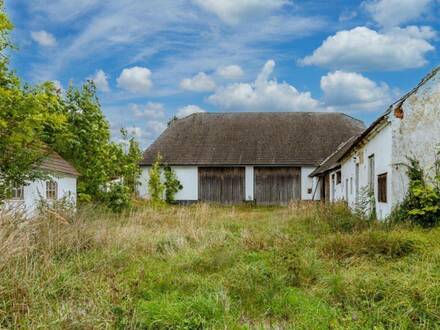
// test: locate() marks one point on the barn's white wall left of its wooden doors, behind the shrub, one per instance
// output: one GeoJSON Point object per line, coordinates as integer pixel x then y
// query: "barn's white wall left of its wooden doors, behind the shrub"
{"type": "Point", "coordinates": [188, 177]}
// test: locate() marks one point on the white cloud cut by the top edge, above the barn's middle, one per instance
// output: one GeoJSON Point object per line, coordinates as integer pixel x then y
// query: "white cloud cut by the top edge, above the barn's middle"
{"type": "Point", "coordinates": [234, 11]}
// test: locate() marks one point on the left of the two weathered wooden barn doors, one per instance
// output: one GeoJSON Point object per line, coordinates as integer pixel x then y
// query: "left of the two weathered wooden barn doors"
{"type": "Point", "coordinates": [221, 185]}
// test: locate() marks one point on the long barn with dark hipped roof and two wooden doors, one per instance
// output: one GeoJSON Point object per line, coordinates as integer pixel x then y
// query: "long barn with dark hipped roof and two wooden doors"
{"type": "Point", "coordinates": [264, 157]}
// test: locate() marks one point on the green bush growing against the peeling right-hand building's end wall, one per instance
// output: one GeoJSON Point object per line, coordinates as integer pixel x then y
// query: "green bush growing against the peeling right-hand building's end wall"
{"type": "Point", "coordinates": [421, 205]}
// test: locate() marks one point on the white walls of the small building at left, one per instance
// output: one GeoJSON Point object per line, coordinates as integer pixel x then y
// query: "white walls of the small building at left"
{"type": "Point", "coordinates": [36, 191]}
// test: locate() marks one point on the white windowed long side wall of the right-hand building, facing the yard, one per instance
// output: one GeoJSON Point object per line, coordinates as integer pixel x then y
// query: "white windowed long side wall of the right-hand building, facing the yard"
{"type": "Point", "coordinates": [380, 145]}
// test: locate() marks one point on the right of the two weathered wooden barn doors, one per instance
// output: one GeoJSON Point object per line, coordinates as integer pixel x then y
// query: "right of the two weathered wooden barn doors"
{"type": "Point", "coordinates": [277, 185]}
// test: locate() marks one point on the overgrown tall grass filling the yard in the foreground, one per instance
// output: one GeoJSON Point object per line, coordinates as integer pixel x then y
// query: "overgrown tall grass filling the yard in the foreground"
{"type": "Point", "coordinates": [305, 266]}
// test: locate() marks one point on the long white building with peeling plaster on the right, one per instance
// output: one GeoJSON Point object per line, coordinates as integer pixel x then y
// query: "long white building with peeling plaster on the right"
{"type": "Point", "coordinates": [374, 161]}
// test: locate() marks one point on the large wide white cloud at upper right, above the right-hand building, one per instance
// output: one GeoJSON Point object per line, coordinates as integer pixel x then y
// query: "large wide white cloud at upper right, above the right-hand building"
{"type": "Point", "coordinates": [363, 49]}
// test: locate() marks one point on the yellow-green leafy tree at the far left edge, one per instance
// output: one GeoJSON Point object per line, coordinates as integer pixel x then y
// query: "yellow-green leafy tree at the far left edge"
{"type": "Point", "coordinates": [26, 115]}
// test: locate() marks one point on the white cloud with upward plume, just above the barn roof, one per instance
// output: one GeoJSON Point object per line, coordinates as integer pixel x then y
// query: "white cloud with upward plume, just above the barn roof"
{"type": "Point", "coordinates": [263, 95]}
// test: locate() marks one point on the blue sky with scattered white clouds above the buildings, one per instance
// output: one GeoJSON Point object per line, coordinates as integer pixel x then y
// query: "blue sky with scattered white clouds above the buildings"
{"type": "Point", "coordinates": [152, 60]}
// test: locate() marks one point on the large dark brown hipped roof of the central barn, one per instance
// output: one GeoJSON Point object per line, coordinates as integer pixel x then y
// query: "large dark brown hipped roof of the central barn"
{"type": "Point", "coordinates": [256, 138]}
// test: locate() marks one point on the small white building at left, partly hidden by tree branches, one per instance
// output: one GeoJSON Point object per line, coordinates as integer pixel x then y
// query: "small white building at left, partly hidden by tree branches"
{"type": "Point", "coordinates": [60, 185]}
